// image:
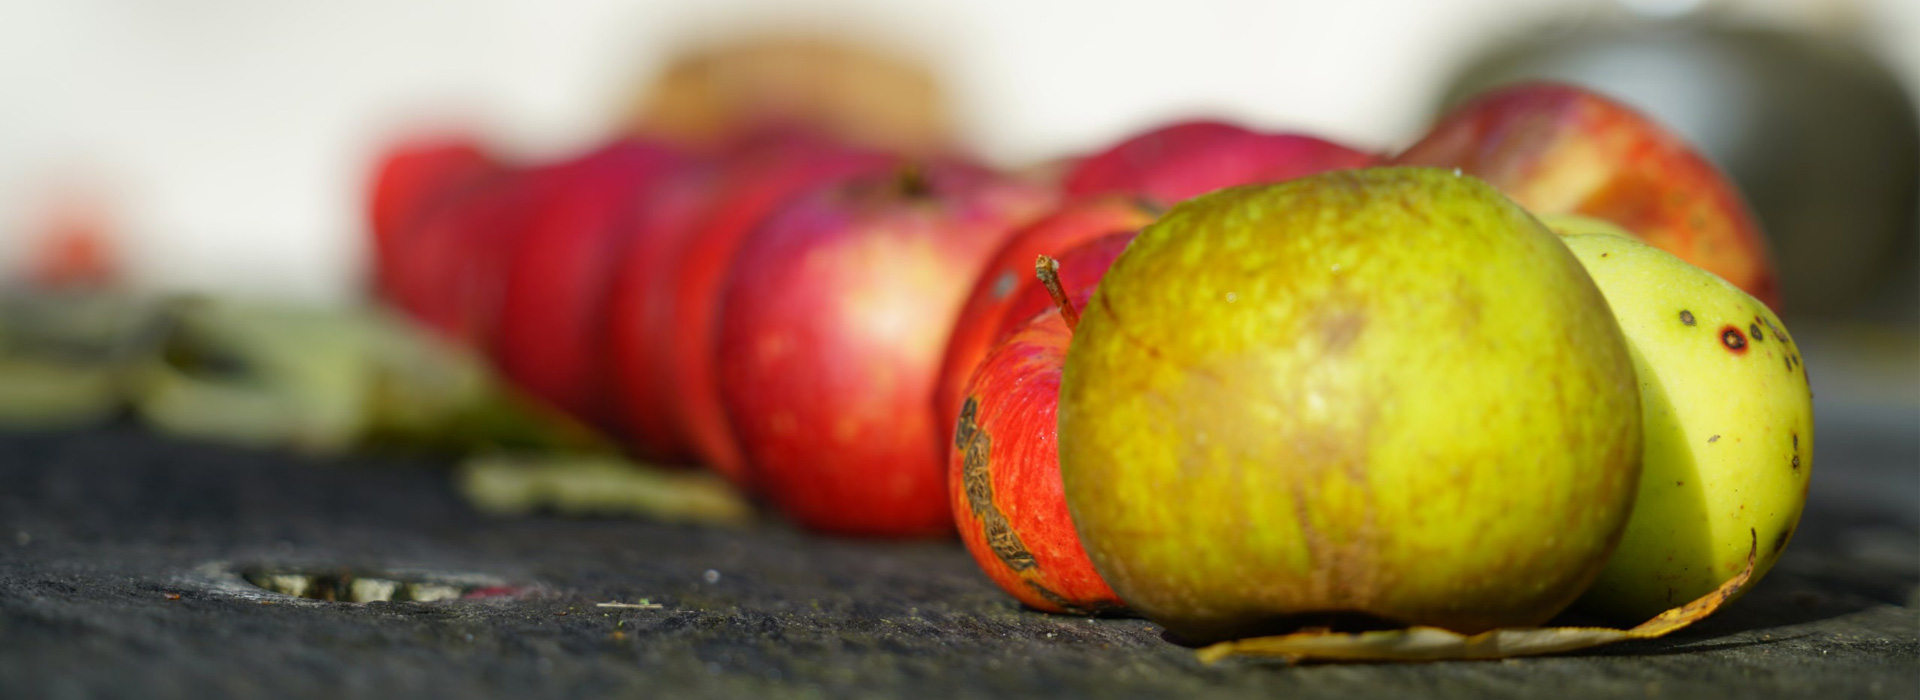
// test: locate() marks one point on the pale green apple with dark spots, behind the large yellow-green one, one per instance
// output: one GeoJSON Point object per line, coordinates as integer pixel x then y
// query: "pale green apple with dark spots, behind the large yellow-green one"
{"type": "Point", "coordinates": [1729, 431]}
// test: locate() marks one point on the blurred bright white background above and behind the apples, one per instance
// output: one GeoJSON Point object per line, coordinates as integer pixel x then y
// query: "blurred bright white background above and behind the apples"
{"type": "Point", "coordinates": [228, 141]}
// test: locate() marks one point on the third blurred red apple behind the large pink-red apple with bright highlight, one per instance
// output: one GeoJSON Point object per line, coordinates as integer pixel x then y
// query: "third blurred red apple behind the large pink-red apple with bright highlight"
{"type": "Point", "coordinates": [558, 277]}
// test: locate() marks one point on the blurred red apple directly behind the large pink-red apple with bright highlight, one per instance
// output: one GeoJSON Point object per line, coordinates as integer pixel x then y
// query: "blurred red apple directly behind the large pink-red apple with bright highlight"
{"type": "Point", "coordinates": [757, 181]}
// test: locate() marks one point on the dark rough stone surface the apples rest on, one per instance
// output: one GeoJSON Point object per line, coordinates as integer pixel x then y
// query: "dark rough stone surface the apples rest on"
{"type": "Point", "coordinates": [101, 530]}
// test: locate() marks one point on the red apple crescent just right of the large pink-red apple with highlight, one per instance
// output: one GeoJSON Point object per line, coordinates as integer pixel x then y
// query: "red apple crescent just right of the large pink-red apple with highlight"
{"type": "Point", "coordinates": [990, 304]}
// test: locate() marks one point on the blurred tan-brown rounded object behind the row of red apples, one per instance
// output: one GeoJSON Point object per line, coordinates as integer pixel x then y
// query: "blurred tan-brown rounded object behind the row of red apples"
{"type": "Point", "coordinates": [715, 93]}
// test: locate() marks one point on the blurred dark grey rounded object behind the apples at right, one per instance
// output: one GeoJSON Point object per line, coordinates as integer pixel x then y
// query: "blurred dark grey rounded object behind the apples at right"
{"type": "Point", "coordinates": [1813, 128]}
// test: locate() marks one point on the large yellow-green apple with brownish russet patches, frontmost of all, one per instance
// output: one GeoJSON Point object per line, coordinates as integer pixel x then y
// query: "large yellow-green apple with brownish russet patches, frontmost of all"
{"type": "Point", "coordinates": [1385, 394]}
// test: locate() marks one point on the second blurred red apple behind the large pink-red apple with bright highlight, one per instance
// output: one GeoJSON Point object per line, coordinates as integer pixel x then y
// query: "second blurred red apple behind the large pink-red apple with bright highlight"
{"type": "Point", "coordinates": [640, 314]}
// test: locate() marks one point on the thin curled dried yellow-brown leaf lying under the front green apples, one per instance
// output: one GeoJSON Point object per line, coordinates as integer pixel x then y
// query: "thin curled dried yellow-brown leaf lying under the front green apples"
{"type": "Point", "coordinates": [1441, 645]}
